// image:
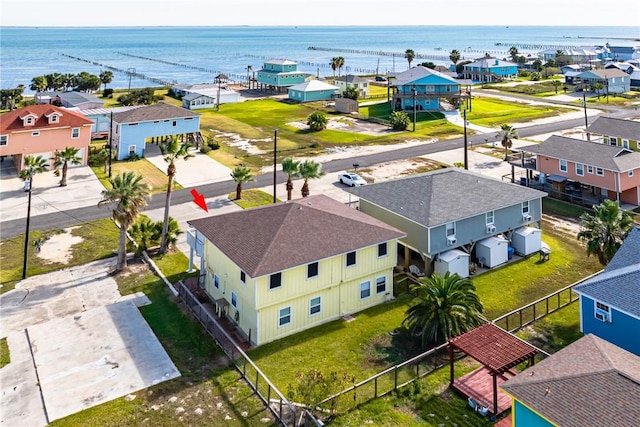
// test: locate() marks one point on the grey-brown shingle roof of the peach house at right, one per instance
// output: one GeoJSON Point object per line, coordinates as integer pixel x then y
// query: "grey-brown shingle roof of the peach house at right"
{"type": "Point", "coordinates": [596, 154]}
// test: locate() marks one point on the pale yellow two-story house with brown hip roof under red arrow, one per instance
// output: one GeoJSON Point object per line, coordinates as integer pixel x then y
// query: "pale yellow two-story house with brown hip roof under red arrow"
{"type": "Point", "coordinates": [283, 268]}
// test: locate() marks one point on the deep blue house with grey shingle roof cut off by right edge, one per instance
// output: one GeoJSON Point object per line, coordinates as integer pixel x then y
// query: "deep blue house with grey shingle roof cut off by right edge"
{"type": "Point", "coordinates": [610, 301]}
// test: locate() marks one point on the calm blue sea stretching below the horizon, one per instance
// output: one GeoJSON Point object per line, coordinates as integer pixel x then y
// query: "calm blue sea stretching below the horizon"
{"type": "Point", "coordinates": [198, 54]}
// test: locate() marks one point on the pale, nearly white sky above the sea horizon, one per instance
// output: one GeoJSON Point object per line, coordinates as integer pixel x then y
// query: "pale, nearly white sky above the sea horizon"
{"type": "Point", "coordinates": [318, 12]}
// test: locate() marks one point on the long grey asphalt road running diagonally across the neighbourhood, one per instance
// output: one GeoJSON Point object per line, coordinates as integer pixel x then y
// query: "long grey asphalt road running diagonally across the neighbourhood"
{"type": "Point", "coordinates": [74, 216]}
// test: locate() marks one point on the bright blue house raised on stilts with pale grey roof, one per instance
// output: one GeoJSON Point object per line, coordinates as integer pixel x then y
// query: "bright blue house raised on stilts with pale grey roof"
{"type": "Point", "coordinates": [425, 87]}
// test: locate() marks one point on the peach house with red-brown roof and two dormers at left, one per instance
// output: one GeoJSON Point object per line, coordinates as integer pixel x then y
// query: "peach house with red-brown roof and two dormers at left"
{"type": "Point", "coordinates": [40, 130]}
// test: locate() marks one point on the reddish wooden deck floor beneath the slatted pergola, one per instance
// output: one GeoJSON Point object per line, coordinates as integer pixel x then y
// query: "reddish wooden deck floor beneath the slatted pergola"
{"type": "Point", "coordinates": [478, 384]}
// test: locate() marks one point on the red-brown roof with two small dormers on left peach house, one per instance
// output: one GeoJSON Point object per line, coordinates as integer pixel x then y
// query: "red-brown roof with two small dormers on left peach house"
{"type": "Point", "coordinates": [12, 121]}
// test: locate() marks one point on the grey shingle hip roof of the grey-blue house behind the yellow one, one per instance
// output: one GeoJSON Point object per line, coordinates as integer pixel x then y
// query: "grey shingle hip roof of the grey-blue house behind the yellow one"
{"type": "Point", "coordinates": [445, 195]}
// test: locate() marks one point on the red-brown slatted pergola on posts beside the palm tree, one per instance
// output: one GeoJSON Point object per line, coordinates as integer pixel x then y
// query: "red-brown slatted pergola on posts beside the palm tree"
{"type": "Point", "coordinates": [496, 349]}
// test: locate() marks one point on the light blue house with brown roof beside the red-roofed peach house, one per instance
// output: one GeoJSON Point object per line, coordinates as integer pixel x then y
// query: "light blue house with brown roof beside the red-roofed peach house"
{"type": "Point", "coordinates": [132, 128]}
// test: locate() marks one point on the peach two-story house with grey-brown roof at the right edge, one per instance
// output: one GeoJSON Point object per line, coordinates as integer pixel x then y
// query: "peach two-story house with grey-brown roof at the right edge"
{"type": "Point", "coordinates": [610, 171]}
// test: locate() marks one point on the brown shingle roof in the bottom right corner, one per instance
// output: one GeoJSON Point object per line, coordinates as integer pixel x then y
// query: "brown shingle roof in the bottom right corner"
{"type": "Point", "coordinates": [588, 383]}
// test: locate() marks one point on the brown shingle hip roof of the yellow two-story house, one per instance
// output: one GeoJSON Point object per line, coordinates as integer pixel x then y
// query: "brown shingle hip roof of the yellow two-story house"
{"type": "Point", "coordinates": [277, 237]}
